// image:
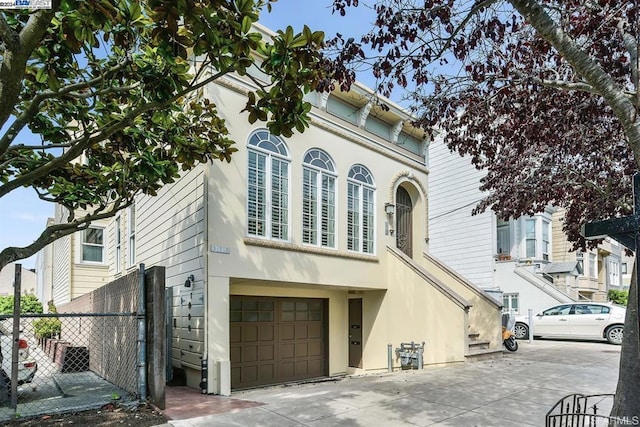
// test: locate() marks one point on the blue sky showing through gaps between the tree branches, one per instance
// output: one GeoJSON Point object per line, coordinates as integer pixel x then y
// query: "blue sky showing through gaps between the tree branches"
{"type": "Point", "coordinates": [23, 216]}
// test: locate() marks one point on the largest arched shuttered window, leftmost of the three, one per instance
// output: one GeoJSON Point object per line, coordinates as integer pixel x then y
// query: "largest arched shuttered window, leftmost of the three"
{"type": "Point", "coordinates": [267, 186]}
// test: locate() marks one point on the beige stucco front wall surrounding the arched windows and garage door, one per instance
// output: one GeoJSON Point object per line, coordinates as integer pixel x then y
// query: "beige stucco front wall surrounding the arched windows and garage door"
{"type": "Point", "coordinates": [404, 298]}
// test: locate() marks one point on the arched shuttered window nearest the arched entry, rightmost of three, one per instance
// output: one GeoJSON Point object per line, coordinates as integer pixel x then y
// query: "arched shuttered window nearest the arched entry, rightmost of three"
{"type": "Point", "coordinates": [360, 210]}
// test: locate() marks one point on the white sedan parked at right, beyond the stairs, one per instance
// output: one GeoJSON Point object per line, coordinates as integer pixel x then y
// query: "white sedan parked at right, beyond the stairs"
{"type": "Point", "coordinates": [590, 320]}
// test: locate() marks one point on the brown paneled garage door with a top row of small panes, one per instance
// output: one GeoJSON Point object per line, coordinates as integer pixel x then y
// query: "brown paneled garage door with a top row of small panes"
{"type": "Point", "coordinates": [277, 340]}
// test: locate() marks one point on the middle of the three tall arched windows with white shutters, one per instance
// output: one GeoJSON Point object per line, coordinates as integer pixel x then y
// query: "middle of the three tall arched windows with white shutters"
{"type": "Point", "coordinates": [318, 199]}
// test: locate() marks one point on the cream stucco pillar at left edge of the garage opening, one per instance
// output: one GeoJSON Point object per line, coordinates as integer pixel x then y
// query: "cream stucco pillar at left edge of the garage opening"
{"type": "Point", "coordinates": [219, 378]}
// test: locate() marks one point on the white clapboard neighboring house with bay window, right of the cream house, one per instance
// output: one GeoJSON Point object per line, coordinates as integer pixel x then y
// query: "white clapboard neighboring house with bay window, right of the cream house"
{"type": "Point", "coordinates": [503, 257]}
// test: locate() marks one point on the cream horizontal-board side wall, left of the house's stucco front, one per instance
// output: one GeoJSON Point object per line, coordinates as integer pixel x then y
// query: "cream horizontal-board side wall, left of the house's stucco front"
{"type": "Point", "coordinates": [170, 232]}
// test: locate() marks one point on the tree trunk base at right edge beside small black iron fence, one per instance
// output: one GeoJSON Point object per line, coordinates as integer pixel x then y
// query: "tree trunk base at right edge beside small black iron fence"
{"type": "Point", "coordinates": [626, 405]}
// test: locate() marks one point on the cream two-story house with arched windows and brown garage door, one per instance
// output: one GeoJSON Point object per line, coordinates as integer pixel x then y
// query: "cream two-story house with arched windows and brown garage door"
{"type": "Point", "coordinates": [304, 257]}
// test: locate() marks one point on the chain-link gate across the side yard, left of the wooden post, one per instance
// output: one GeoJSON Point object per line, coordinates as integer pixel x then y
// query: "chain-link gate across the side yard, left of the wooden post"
{"type": "Point", "coordinates": [67, 362]}
